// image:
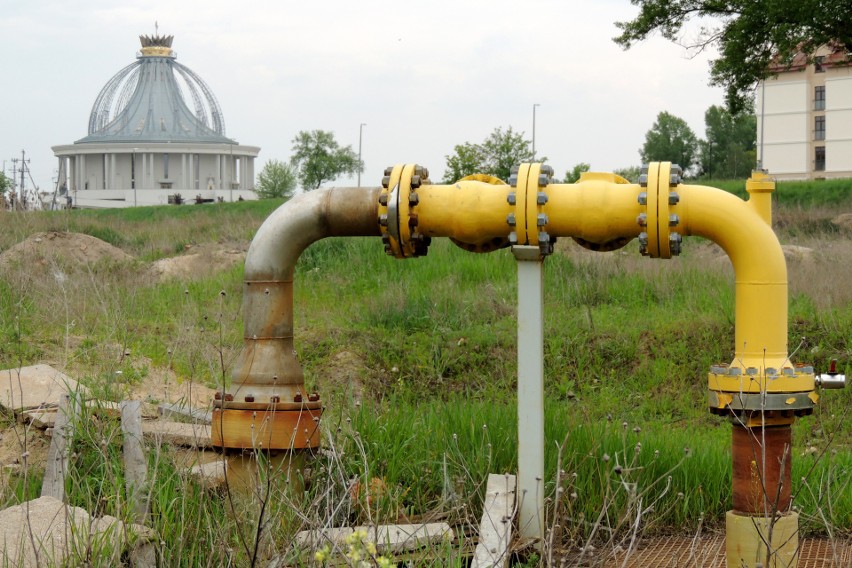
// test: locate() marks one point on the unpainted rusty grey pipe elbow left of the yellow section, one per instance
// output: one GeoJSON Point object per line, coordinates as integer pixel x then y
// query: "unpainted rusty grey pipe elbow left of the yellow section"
{"type": "Point", "coordinates": [267, 371]}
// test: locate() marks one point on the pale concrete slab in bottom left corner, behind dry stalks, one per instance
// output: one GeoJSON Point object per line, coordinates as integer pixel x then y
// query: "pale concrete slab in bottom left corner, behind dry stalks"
{"type": "Point", "coordinates": [46, 532]}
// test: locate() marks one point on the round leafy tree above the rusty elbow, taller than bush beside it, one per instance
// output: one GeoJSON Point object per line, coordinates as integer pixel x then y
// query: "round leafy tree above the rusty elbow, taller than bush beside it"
{"type": "Point", "coordinates": [318, 158]}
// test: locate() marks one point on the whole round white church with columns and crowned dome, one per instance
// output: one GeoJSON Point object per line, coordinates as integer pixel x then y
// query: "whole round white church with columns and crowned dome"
{"type": "Point", "coordinates": [156, 136]}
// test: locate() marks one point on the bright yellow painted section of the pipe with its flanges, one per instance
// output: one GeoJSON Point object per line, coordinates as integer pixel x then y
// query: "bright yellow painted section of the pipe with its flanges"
{"type": "Point", "coordinates": [603, 208]}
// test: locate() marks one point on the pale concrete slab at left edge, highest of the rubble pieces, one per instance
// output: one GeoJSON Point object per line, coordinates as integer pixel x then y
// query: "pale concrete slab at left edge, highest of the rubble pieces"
{"type": "Point", "coordinates": [36, 386]}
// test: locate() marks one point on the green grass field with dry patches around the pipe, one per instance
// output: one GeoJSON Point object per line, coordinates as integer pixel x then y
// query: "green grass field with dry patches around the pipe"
{"type": "Point", "coordinates": [416, 361]}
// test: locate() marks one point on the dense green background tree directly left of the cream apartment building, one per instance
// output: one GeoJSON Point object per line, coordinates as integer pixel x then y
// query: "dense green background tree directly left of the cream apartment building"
{"type": "Point", "coordinates": [729, 150]}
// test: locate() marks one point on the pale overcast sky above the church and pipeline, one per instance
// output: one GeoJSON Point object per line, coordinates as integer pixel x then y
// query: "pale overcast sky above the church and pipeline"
{"type": "Point", "coordinates": [422, 75]}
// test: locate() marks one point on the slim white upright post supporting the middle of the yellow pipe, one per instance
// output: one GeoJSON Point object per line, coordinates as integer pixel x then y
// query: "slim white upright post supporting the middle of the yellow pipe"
{"type": "Point", "coordinates": [530, 391]}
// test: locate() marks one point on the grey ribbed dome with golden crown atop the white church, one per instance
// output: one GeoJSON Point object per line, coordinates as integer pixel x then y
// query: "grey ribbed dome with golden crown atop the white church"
{"type": "Point", "coordinates": [147, 102]}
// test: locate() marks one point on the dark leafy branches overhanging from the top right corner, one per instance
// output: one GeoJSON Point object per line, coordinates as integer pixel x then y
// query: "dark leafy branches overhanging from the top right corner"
{"type": "Point", "coordinates": [750, 36]}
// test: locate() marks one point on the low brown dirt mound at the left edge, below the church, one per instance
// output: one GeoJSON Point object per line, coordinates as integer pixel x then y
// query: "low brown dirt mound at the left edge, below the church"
{"type": "Point", "coordinates": [65, 248]}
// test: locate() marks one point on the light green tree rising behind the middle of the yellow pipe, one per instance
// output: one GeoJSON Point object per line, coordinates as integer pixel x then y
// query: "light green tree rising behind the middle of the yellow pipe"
{"type": "Point", "coordinates": [495, 156]}
